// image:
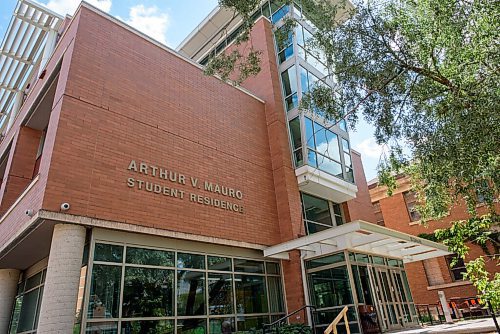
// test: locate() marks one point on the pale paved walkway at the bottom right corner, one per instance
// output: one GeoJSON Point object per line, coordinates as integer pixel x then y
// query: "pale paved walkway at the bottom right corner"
{"type": "Point", "coordinates": [485, 325]}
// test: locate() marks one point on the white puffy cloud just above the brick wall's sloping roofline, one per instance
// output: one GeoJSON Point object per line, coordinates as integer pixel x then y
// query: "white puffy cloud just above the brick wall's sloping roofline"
{"type": "Point", "coordinates": [149, 20]}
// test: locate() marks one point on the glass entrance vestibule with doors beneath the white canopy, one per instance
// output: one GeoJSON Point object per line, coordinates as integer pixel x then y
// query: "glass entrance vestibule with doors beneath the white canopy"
{"type": "Point", "coordinates": [374, 288]}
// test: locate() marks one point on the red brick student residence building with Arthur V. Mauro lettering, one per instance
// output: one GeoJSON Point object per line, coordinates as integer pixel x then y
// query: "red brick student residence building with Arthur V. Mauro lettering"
{"type": "Point", "coordinates": [139, 195]}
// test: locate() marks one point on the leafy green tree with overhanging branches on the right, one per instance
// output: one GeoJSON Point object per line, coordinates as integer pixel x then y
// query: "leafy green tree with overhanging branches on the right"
{"type": "Point", "coordinates": [425, 74]}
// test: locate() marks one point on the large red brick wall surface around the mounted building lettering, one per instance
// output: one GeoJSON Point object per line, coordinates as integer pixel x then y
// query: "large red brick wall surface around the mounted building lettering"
{"type": "Point", "coordinates": [129, 99]}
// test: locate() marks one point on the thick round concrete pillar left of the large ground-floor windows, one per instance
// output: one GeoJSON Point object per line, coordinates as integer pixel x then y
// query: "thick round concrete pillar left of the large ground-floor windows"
{"type": "Point", "coordinates": [60, 294]}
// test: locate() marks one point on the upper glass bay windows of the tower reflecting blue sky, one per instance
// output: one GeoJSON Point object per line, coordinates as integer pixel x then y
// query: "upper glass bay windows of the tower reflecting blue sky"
{"type": "Point", "coordinates": [301, 67]}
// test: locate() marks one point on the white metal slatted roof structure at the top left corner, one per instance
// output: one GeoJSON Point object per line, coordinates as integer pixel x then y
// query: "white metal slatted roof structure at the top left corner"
{"type": "Point", "coordinates": [21, 52]}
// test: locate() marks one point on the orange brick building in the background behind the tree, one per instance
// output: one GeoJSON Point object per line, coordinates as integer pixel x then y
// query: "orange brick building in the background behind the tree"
{"type": "Point", "coordinates": [429, 276]}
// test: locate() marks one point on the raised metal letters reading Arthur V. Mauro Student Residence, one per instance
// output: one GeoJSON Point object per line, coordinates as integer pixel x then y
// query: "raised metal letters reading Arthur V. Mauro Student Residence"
{"type": "Point", "coordinates": [170, 183]}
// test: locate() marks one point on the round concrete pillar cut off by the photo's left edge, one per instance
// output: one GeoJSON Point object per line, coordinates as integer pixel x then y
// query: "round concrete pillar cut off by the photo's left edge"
{"type": "Point", "coordinates": [8, 289]}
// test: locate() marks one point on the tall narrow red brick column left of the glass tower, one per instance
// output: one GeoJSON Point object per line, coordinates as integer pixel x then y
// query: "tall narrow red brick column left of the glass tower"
{"type": "Point", "coordinates": [266, 85]}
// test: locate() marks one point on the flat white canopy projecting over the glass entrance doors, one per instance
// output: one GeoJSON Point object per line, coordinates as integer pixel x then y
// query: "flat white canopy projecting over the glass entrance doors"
{"type": "Point", "coordinates": [364, 237]}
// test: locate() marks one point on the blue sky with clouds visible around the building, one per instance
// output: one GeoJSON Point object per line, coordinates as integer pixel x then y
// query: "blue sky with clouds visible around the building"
{"type": "Point", "coordinates": [169, 22]}
